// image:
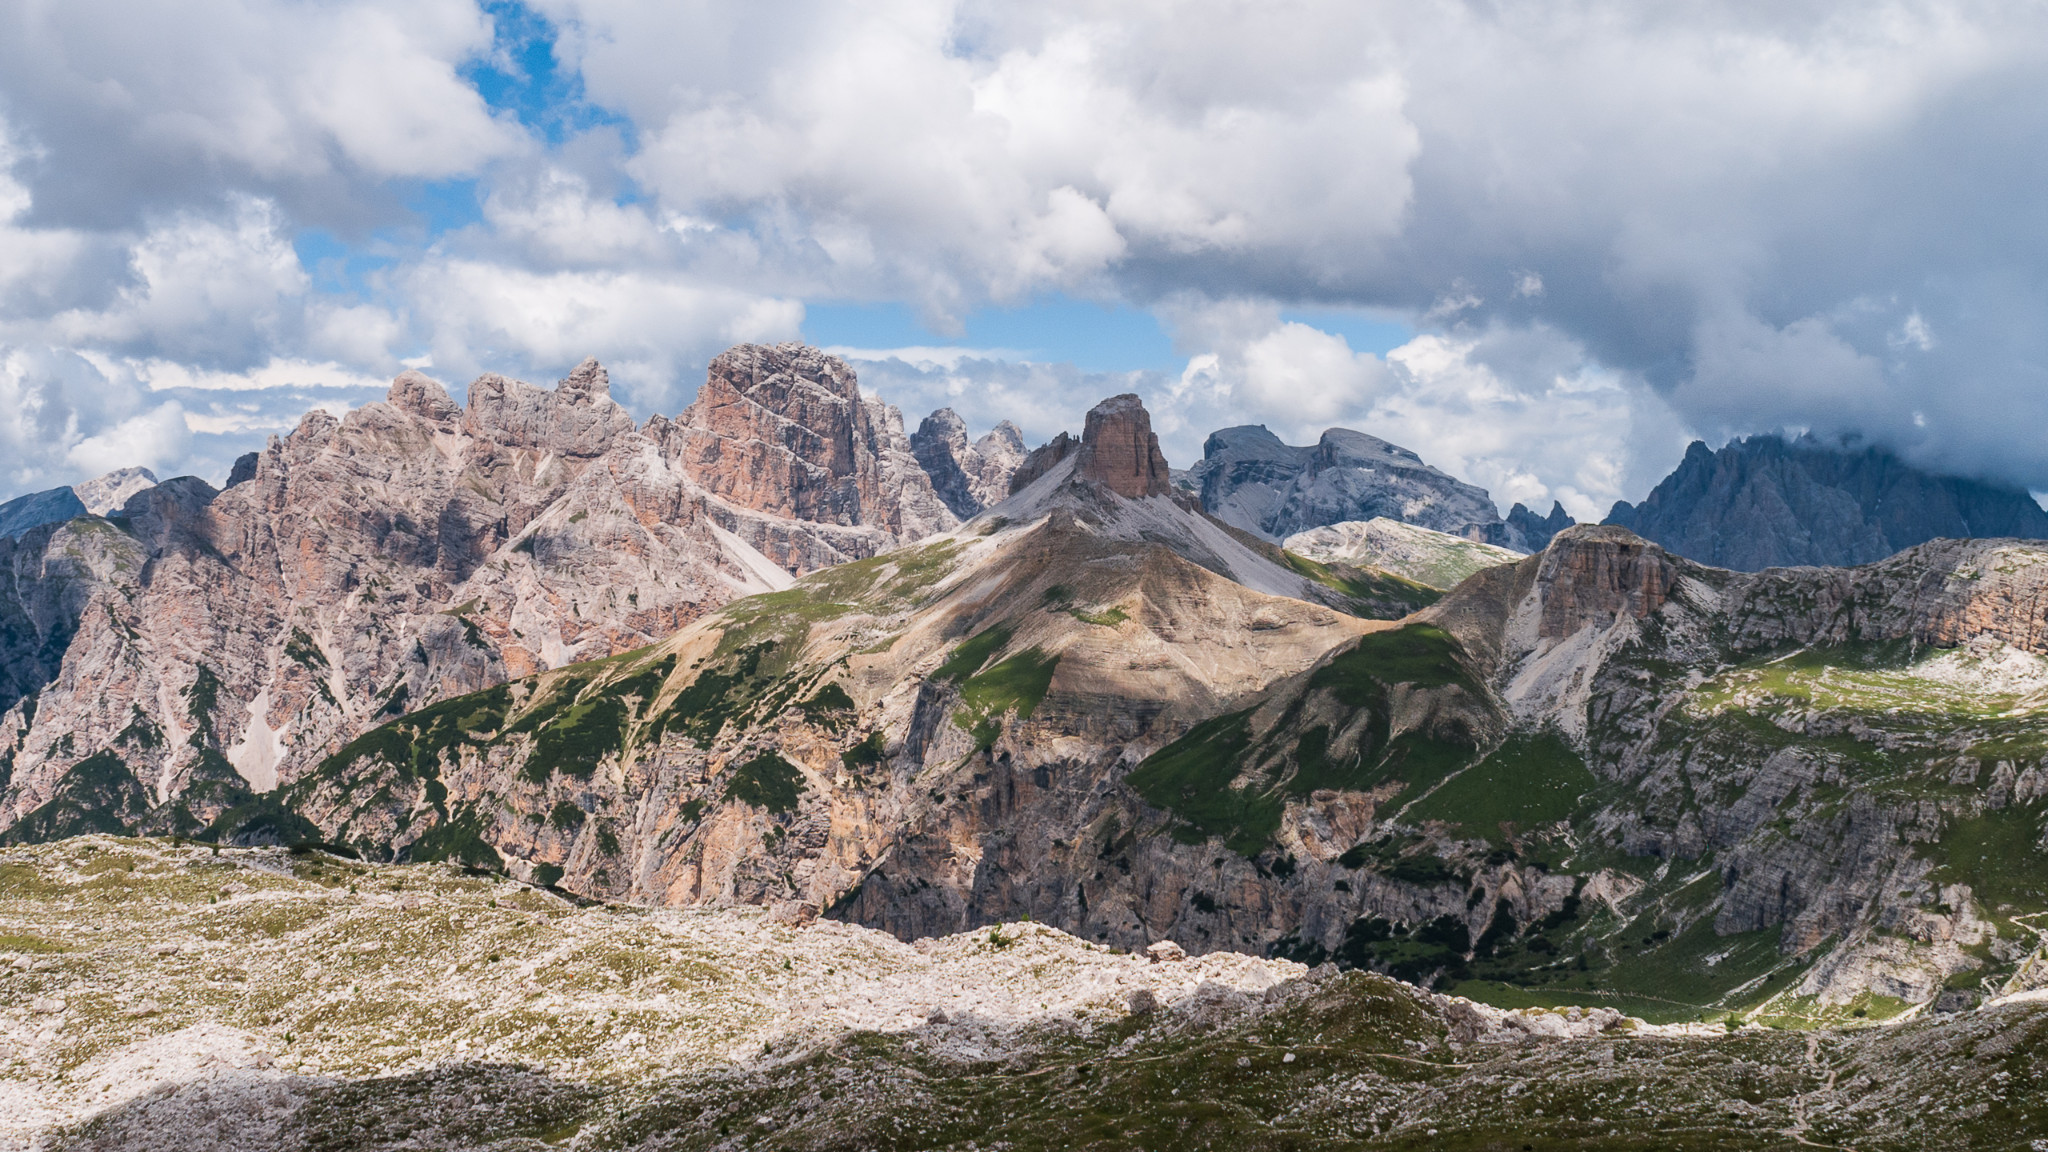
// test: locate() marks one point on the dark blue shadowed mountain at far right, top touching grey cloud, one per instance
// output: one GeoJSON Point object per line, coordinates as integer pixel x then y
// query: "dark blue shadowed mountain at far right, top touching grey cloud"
{"type": "Point", "coordinates": [1773, 503]}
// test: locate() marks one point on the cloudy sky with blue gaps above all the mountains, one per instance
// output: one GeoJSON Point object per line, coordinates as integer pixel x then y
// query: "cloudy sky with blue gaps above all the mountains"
{"type": "Point", "coordinates": [1545, 245]}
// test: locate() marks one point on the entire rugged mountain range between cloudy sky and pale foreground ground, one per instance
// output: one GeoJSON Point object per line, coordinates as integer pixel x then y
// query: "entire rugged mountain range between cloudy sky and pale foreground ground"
{"type": "Point", "coordinates": [779, 653]}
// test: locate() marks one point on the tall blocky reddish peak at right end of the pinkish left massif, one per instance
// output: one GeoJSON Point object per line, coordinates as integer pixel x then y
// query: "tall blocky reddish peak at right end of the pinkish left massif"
{"type": "Point", "coordinates": [783, 431]}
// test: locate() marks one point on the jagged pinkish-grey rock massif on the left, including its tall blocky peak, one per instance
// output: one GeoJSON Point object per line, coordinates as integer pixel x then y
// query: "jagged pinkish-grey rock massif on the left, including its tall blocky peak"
{"type": "Point", "coordinates": [208, 645]}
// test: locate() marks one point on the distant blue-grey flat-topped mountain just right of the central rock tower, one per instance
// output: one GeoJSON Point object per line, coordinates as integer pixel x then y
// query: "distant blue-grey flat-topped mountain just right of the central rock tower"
{"type": "Point", "coordinates": [1252, 481]}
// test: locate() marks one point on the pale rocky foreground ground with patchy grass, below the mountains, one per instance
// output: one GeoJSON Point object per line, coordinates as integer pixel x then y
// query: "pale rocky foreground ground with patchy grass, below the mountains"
{"type": "Point", "coordinates": [175, 997]}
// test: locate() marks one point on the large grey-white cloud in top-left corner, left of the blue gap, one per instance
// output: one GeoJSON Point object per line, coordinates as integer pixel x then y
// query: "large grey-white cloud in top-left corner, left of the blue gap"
{"type": "Point", "coordinates": [263, 87]}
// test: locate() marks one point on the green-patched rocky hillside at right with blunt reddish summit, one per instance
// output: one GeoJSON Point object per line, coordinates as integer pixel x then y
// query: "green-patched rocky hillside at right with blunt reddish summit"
{"type": "Point", "coordinates": [1615, 776]}
